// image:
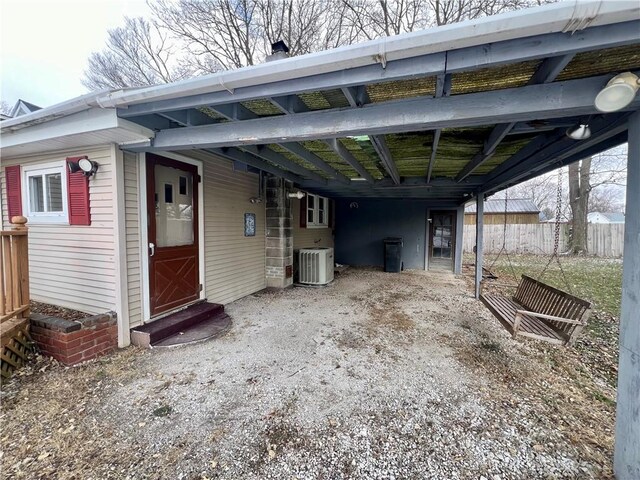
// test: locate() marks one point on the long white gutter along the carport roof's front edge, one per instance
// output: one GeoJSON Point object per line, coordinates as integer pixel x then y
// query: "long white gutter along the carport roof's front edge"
{"type": "Point", "coordinates": [568, 16]}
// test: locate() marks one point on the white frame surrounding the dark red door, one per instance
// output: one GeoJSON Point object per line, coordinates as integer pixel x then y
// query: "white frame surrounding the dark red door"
{"type": "Point", "coordinates": [144, 232]}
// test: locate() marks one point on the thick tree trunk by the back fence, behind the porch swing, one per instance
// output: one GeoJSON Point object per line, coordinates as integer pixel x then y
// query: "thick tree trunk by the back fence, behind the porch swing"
{"type": "Point", "coordinates": [579, 190]}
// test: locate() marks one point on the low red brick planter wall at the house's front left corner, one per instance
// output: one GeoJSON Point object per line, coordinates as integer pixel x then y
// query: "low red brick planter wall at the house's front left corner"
{"type": "Point", "coordinates": [75, 341]}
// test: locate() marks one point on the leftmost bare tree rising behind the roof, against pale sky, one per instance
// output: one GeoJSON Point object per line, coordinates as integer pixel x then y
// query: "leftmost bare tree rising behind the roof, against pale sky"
{"type": "Point", "coordinates": [137, 54]}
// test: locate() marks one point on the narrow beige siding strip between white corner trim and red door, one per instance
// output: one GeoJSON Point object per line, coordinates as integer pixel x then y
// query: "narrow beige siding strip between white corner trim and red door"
{"type": "Point", "coordinates": [132, 226]}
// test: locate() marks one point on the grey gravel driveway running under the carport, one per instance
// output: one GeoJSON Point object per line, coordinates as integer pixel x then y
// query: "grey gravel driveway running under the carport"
{"type": "Point", "coordinates": [375, 376]}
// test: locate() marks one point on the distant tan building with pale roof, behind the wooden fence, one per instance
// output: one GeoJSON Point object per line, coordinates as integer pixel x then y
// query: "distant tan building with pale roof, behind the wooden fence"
{"type": "Point", "coordinates": [518, 210]}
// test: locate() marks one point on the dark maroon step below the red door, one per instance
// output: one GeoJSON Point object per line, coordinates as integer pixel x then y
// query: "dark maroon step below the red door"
{"type": "Point", "coordinates": [151, 333]}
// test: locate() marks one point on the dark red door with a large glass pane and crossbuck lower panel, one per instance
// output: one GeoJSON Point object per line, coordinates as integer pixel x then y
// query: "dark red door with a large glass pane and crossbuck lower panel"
{"type": "Point", "coordinates": [172, 212]}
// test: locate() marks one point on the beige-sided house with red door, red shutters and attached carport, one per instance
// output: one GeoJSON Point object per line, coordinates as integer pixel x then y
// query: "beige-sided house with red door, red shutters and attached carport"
{"type": "Point", "coordinates": [201, 189]}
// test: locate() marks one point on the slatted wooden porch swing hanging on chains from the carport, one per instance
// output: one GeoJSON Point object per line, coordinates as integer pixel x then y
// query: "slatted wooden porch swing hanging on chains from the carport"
{"type": "Point", "coordinates": [538, 310]}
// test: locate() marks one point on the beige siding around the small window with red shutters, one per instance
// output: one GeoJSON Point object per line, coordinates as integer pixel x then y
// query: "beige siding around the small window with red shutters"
{"type": "Point", "coordinates": [73, 266]}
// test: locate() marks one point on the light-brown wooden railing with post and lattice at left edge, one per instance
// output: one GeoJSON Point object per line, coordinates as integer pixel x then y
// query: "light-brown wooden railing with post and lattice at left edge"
{"type": "Point", "coordinates": [14, 295]}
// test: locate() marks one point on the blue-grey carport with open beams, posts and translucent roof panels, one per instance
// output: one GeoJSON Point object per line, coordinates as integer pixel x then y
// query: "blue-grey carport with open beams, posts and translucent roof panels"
{"type": "Point", "coordinates": [401, 129]}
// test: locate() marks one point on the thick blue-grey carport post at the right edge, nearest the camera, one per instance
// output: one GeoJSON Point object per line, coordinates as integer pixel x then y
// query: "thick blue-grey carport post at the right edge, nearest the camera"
{"type": "Point", "coordinates": [626, 458]}
